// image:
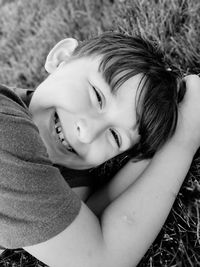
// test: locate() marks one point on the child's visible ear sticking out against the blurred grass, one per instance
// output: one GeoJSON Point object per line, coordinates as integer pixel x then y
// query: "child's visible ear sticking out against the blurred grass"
{"type": "Point", "coordinates": [61, 52]}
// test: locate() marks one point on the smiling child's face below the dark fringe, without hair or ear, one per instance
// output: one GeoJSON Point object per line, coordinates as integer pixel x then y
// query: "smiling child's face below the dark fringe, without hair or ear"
{"type": "Point", "coordinates": [97, 123]}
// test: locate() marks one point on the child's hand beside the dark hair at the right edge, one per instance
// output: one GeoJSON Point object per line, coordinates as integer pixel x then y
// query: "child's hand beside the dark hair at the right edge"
{"type": "Point", "coordinates": [188, 127]}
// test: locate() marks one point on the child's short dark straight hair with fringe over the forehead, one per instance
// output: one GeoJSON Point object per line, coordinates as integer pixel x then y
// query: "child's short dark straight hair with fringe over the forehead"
{"type": "Point", "coordinates": [124, 56]}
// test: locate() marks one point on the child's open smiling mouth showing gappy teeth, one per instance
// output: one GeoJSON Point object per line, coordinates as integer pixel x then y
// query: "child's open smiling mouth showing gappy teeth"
{"type": "Point", "coordinates": [61, 136]}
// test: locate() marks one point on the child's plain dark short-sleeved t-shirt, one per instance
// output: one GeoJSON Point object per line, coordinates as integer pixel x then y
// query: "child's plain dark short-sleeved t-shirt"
{"type": "Point", "coordinates": [36, 203]}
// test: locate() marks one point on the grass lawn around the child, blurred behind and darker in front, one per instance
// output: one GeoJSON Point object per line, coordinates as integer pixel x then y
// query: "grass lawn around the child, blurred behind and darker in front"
{"type": "Point", "coordinates": [28, 29]}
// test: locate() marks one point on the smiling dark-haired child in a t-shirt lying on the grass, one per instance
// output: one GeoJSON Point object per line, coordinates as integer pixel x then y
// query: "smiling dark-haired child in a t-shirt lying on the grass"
{"type": "Point", "coordinates": [87, 111]}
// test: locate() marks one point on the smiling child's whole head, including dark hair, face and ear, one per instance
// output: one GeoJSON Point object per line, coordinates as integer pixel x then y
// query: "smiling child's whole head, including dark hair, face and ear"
{"type": "Point", "coordinates": [111, 94]}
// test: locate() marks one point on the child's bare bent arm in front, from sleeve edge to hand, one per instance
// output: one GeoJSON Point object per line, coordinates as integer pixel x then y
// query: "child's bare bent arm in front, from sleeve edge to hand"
{"type": "Point", "coordinates": [131, 222]}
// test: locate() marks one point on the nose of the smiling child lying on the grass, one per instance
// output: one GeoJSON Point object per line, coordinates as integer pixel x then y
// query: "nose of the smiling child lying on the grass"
{"type": "Point", "coordinates": [88, 130]}
